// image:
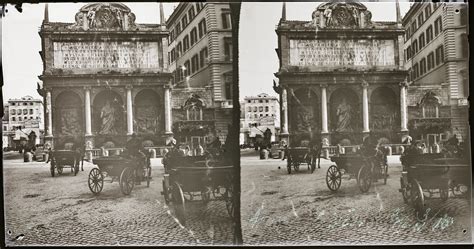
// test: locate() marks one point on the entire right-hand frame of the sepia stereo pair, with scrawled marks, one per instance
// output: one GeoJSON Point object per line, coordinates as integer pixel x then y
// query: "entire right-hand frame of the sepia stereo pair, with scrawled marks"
{"type": "Point", "coordinates": [354, 123]}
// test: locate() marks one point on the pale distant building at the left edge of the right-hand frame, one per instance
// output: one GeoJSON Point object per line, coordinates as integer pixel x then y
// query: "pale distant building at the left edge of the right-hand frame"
{"type": "Point", "coordinates": [259, 113]}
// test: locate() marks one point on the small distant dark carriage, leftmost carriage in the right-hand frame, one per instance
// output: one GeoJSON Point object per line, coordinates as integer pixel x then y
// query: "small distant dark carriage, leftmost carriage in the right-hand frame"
{"type": "Point", "coordinates": [302, 155]}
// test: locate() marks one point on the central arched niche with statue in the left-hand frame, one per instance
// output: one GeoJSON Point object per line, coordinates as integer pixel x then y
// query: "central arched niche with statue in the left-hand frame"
{"type": "Point", "coordinates": [108, 113]}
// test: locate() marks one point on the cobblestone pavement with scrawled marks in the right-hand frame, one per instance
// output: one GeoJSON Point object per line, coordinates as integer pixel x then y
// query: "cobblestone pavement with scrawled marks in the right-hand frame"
{"type": "Point", "coordinates": [299, 209]}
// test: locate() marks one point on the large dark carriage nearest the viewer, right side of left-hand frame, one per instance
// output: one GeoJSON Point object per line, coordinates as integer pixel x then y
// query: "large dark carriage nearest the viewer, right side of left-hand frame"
{"type": "Point", "coordinates": [194, 178]}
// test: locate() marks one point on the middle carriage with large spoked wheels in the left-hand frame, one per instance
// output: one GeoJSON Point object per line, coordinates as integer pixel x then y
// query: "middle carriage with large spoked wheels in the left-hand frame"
{"type": "Point", "coordinates": [124, 169]}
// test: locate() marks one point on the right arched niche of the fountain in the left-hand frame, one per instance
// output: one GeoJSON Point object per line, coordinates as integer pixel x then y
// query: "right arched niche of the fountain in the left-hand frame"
{"type": "Point", "coordinates": [147, 112]}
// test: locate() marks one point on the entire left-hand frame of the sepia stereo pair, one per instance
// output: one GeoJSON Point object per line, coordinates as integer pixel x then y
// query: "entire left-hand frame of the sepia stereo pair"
{"type": "Point", "coordinates": [117, 124]}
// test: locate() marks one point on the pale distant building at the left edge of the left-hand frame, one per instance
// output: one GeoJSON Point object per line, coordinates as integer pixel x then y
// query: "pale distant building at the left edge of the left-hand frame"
{"type": "Point", "coordinates": [21, 117]}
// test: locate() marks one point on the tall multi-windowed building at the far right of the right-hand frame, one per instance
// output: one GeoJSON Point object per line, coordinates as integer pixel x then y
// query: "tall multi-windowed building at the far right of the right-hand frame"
{"type": "Point", "coordinates": [436, 55]}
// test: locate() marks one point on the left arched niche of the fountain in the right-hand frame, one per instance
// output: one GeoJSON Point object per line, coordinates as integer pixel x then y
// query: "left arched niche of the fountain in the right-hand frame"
{"type": "Point", "coordinates": [304, 114]}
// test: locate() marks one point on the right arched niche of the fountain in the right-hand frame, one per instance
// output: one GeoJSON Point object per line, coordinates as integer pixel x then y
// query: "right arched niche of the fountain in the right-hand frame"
{"type": "Point", "coordinates": [384, 110]}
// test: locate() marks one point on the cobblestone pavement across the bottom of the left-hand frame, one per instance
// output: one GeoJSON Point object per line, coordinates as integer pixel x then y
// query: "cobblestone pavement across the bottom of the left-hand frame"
{"type": "Point", "coordinates": [63, 211]}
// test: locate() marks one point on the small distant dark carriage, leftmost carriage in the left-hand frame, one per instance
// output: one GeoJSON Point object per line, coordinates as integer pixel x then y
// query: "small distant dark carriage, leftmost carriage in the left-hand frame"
{"type": "Point", "coordinates": [61, 159]}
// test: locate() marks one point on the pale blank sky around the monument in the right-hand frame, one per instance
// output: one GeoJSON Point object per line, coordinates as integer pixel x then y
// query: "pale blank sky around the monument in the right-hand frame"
{"type": "Point", "coordinates": [258, 60]}
